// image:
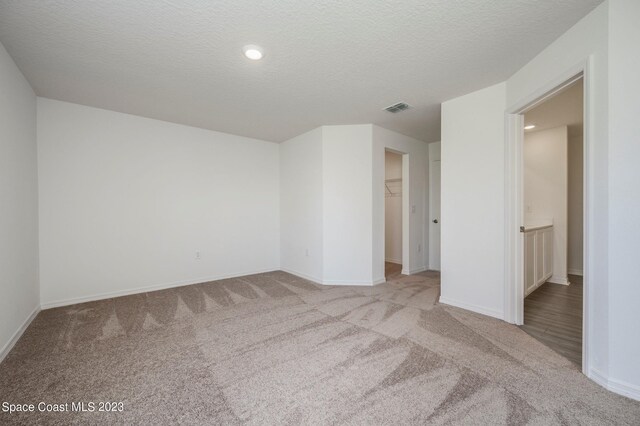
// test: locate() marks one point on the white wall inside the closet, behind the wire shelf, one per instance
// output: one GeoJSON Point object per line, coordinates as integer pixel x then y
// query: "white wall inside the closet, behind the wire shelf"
{"type": "Point", "coordinates": [393, 210]}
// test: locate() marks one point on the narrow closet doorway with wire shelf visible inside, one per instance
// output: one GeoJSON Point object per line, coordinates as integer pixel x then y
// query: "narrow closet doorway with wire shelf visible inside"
{"type": "Point", "coordinates": [393, 192]}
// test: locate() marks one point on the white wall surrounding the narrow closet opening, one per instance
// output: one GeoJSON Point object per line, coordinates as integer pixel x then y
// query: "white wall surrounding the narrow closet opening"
{"type": "Point", "coordinates": [414, 198]}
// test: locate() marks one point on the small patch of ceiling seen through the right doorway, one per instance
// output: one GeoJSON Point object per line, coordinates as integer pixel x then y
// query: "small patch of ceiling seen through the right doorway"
{"type": "Point", "coordinates": [563, 109]}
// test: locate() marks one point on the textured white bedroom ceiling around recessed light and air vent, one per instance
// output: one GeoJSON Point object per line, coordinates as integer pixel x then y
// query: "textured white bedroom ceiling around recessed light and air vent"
{"type": "Point", "coordinates": [326, 62]}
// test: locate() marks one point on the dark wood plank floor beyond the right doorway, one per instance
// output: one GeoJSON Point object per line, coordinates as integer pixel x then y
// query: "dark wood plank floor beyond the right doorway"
{"type": "Point", "coordinates": [553, 315]}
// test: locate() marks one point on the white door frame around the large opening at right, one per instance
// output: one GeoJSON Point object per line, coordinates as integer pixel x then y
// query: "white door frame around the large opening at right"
{"type": "Point", "coordinates": [514, 191]}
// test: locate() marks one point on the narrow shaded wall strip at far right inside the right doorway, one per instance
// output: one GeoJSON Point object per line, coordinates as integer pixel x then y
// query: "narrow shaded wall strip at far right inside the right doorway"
{"type": "Point", "coordinates": [576, 207]}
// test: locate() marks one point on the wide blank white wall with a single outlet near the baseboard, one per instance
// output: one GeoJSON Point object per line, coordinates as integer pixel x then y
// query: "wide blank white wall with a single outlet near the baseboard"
{"type": "Point", "coordinates": [126, 202]}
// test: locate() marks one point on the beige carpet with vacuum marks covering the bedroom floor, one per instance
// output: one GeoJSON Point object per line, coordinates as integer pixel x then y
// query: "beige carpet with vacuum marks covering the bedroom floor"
{"type": "Point", "coordinates": [276, 349]}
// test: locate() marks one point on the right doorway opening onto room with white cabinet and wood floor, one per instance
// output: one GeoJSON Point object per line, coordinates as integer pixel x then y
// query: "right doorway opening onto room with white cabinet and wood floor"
{"type": "Point", "coordinates": [552, 203]}
